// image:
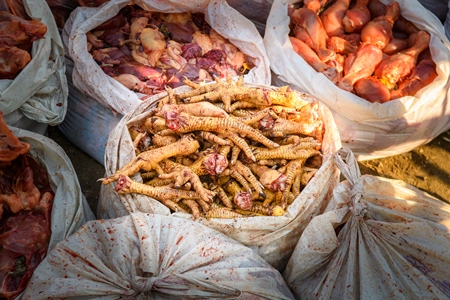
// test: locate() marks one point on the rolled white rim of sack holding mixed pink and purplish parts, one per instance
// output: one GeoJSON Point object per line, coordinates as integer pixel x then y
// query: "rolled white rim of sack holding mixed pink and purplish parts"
{"type": "Point", "coordinates": [92, 80]}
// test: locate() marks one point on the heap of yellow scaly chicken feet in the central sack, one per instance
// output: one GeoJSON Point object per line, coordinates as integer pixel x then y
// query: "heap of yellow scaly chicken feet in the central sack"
{"type": "Point", "coordinates": [225, 150]}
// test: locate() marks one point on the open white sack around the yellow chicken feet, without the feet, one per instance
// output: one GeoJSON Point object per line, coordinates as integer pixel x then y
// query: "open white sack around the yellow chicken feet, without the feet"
{"type": "Point", "coordinates": [273, 238]}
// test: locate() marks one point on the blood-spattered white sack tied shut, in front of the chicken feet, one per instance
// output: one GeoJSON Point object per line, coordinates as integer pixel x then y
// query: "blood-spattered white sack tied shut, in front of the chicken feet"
{"type": "Point", "coordinates": [145, 256]}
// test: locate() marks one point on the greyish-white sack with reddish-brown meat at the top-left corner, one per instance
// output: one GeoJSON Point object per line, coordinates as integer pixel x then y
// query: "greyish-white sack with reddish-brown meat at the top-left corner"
{"type": "Point", "coordinates": [36, 96]}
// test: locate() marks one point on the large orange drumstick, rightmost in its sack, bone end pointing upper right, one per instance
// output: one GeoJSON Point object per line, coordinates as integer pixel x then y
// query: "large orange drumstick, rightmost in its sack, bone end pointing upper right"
{"type": "Point", "coordinates": [398, 66]}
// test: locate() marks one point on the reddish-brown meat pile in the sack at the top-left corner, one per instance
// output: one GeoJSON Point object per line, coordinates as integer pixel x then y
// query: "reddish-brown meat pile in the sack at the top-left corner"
{"type": "Point", "coordinates": [17, 34]}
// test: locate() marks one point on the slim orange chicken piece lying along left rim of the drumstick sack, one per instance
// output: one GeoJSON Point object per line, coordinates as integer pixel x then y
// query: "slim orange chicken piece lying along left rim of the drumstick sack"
{"type": "Point", "coordinates": [313, 60]}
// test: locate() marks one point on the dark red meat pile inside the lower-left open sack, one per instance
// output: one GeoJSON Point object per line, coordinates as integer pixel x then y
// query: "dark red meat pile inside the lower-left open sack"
{"type": "Point", "coordinates": [25, 206]}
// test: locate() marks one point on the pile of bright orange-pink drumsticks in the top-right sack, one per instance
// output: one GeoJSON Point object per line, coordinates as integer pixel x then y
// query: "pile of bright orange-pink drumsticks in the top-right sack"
{"type": "Point", "coordinates": [364, 47]}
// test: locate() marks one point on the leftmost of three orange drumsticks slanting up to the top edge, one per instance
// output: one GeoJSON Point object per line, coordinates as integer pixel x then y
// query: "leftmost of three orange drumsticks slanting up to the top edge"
{"type": "Point", "coordinates": [332, 17]}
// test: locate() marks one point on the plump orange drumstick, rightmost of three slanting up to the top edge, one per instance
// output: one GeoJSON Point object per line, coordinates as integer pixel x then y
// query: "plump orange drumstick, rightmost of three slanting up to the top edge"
{"type": "Point", "coordinates": [379, 30]}
